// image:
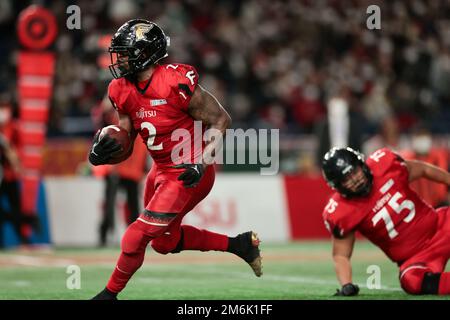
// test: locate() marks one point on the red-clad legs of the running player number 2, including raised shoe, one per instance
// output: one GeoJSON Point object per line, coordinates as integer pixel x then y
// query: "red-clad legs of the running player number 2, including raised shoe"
{"type": "Point", "coordinates": [167, 201]}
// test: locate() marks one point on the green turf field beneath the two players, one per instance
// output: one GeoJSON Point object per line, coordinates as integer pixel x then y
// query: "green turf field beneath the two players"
{"type": "Point", "coordinates": [300, 270]}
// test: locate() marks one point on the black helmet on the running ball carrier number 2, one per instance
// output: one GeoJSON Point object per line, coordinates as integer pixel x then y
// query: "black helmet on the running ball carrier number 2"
{"type": "Point", "coordinates": [144, 44]}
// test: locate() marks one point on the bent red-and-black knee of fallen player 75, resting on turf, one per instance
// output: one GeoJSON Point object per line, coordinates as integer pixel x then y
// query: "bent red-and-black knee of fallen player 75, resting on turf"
{"type": "Point", "coordinates": [419, 280]}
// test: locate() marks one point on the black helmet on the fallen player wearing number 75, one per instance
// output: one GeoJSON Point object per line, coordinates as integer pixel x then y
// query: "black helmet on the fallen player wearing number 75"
{"type": "Point", "coordinates": [338, 163]}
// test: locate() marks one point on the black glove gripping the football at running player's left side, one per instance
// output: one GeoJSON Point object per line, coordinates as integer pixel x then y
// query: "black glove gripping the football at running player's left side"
{"type": "Point", "coordinates": [104, 149]}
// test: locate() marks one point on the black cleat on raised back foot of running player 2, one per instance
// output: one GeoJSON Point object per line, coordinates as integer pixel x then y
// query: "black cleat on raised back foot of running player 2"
{"type": "Point", "coordinates": [246, 246]}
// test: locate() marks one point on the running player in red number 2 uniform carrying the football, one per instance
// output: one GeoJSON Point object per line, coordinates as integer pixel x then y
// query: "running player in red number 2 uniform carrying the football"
{"type": "Point", "coordinates": [153, 100]}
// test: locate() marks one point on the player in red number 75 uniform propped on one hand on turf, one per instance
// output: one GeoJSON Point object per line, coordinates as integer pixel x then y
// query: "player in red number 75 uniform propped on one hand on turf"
{"type": "Point", "coordinates": [374, 198]}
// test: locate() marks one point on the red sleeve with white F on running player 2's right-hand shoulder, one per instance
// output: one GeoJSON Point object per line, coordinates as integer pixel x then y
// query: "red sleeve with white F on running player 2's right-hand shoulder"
{"type": "Point", "coordinates": [183, 79]}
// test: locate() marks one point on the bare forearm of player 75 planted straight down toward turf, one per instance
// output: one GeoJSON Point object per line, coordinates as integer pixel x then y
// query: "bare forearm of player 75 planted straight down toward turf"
{"type": "Point", "coordinates": [342, 252]}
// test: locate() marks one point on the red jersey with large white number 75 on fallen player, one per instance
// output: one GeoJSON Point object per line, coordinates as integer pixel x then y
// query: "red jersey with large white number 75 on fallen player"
{"type": "Point", "coordinates": [392, 216]}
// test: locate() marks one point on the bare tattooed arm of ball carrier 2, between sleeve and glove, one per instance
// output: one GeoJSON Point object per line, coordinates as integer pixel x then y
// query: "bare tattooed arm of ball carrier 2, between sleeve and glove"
{"type": "Point", "coordinates": [205, 107]}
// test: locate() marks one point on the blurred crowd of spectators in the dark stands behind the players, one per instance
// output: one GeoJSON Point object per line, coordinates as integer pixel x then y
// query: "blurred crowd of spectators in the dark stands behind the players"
{"type": "Point", "coordinates": [273, 64]}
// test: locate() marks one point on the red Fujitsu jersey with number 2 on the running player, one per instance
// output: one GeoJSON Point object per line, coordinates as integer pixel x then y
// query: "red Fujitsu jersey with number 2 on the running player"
{"type": "Point", "coordinates": [160, 110]}
